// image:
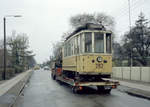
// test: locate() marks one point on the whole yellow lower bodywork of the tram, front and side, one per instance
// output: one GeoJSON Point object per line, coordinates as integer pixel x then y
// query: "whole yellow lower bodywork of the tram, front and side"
{"type": "Point", "coordinates": [88, 64]}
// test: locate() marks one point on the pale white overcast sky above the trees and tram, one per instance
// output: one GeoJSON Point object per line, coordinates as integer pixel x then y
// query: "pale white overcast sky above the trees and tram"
{"type": "Point", "coordinates": [45, 21]}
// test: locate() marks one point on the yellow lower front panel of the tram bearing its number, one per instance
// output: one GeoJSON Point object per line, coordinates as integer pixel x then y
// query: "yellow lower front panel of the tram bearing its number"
{"type": "Point", "coordinates": [91, 65]}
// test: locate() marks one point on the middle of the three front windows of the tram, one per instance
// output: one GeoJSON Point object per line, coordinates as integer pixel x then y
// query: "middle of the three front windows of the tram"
{"type": "Point", "coordinates": [99, 42]}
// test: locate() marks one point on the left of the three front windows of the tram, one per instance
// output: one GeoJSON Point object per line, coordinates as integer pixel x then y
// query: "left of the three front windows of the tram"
{"type": "Point", "coordinates": [88, 42]}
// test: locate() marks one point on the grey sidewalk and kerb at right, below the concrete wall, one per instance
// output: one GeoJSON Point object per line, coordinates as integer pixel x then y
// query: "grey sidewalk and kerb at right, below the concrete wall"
{"type": "Point", "coordinates": [138, 89]}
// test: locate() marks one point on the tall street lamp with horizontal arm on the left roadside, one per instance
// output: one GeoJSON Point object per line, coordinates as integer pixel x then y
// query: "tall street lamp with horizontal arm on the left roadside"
{"type": "Point", "coordinates": [4, 73]}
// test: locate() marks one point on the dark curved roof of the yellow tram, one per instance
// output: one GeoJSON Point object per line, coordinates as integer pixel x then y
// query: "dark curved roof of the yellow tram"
{"type": "Point", "coordinates": [87, 26]}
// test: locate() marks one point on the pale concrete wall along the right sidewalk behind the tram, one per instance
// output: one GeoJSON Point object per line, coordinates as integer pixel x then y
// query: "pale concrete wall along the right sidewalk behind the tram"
{"type": "Point", "coordinates": [132, 73]}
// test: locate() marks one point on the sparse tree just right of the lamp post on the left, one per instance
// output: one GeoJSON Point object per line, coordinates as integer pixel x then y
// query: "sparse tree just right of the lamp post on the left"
{"type": "Point", "coordinates": [18, 47]}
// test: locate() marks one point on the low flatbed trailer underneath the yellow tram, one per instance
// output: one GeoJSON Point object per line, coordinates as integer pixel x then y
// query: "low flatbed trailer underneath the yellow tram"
{"type": "Point", "coordinates": [103, 86]}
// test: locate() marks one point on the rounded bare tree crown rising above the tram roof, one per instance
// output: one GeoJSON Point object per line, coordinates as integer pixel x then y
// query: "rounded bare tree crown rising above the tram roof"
{"type": "Point", "coordinates": [96, 18]}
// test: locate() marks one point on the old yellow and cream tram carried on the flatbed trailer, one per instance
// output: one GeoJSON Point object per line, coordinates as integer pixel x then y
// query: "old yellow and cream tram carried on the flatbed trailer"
{"type": "Point", "coordinates": [88, 51]}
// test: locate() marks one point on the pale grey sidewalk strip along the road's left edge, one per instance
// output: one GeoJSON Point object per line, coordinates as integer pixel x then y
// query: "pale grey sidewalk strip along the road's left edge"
{"type": "Point", "coordinates": [10, 89]}
